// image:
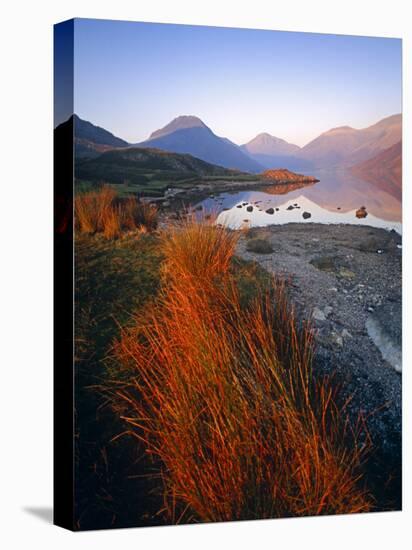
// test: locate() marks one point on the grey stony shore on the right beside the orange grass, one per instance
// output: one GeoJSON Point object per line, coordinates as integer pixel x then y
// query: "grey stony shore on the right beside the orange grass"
{"type": "Point", "coordinates": [347, 280]}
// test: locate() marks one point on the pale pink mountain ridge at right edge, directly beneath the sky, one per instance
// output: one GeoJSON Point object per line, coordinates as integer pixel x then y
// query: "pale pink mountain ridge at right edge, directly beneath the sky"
{"type": "Point", "coordinates": [345, 146]}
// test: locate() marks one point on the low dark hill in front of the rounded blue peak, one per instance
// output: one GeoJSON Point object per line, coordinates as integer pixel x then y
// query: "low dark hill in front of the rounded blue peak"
{"type": "Point", "coordinates": [141, 166]}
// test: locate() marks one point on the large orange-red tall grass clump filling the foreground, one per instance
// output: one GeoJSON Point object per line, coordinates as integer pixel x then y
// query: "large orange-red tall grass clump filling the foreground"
{"type": "Point", "coordinates": [224, 399]}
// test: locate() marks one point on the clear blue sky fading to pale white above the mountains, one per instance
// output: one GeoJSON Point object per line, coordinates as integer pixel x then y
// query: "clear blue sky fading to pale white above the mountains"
{"type": "Point", "coordinates": [133, 78]}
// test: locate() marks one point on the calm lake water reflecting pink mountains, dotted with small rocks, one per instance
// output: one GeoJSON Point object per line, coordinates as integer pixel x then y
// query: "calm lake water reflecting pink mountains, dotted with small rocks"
{"type": "Point", "coordinates": [334, 199]}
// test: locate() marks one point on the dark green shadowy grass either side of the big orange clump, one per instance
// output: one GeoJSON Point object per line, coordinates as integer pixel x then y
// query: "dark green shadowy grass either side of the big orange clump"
{"type": "Point", "coordinates": [114, 281]}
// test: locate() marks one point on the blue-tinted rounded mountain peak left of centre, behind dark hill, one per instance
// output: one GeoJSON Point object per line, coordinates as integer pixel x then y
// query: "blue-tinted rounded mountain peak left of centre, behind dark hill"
{"type": "Point", "coordinates": [188, 134]}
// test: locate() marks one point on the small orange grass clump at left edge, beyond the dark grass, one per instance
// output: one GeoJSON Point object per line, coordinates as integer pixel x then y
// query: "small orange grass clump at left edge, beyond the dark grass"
{"type": "Point", "coordinates": [102, 211]}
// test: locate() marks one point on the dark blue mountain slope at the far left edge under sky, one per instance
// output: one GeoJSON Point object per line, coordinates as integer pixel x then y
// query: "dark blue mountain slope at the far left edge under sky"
{"type": "Point", "coordinates": [91, 140]}
